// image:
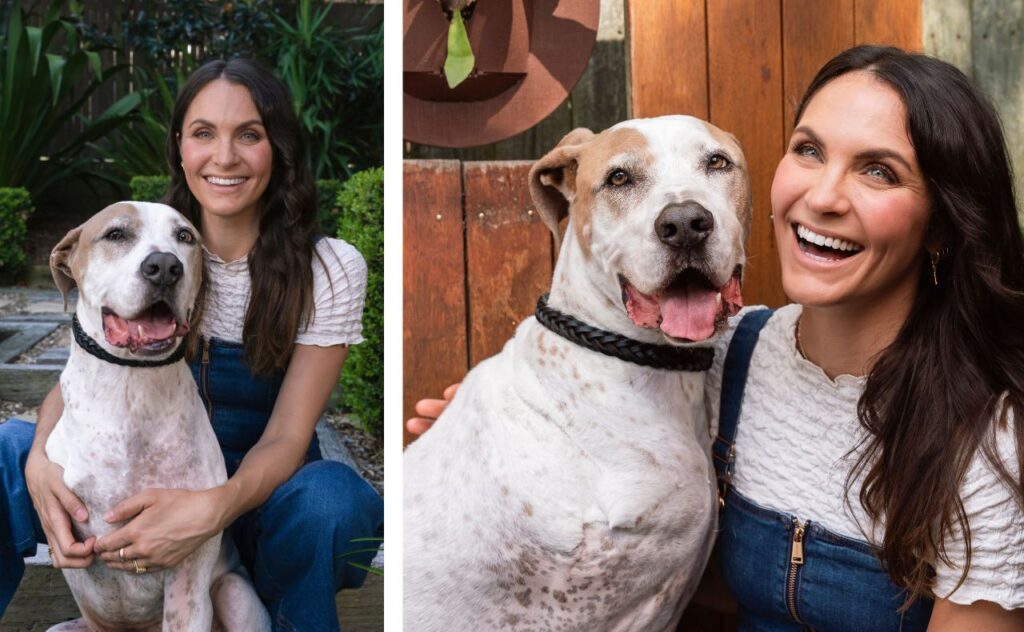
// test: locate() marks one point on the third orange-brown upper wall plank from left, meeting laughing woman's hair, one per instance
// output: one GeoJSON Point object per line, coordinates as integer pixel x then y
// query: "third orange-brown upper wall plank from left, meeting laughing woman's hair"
{"type": "Point", "coordinates": [814, 32]}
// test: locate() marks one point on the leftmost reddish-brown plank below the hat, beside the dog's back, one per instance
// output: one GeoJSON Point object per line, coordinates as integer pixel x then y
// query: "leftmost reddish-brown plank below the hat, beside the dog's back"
{"type": "Point", "coordinates": [434, 281]}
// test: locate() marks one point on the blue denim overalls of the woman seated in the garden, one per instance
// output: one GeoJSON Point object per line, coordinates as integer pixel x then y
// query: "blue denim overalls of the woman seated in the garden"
{"type": "Point", "coordinates": [298, 546]}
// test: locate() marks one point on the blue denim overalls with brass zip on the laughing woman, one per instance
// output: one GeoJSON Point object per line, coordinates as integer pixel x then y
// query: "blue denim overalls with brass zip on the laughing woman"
{"type": "Point", "coordinates": [787, 574]}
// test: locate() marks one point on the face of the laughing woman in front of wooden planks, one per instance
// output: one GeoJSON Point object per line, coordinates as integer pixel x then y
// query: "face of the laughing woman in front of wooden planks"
{"type": "Point", "coordinates": [850, 203]}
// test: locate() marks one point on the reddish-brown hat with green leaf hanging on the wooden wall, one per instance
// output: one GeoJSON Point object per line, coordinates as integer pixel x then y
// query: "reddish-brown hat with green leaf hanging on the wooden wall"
{"type": "Point", "coordinates": [509, 65]}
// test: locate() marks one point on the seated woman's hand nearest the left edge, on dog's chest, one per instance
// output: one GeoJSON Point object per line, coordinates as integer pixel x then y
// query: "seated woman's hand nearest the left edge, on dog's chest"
{"type": "Point", "coordinates": [56, 505]}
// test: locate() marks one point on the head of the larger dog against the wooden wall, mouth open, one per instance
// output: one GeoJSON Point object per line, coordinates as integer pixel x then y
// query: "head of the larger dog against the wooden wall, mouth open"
{"type": "Point", "coordinates": [663, 208]}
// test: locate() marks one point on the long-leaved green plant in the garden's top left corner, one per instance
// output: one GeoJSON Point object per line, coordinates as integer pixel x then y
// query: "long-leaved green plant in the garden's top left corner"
{"type": "Point", "coordinates": [40, 71]}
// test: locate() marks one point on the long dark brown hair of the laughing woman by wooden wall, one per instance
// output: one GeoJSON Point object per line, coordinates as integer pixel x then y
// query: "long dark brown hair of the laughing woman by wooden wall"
{"type": "Point", "coordinates": [935, 397]}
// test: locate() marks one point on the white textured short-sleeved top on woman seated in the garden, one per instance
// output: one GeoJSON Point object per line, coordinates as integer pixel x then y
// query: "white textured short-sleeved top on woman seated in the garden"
{"type": "Point", "coordinates": [338, 296]}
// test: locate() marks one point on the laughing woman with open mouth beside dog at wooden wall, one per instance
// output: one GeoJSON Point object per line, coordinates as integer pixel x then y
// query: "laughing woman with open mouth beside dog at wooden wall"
{"type": "Point", "coordinates": [878, 454]}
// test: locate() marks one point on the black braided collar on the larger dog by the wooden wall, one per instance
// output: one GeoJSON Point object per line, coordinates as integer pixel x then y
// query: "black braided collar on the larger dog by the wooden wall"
{"type": "Point", "coordinates": [617, 346]}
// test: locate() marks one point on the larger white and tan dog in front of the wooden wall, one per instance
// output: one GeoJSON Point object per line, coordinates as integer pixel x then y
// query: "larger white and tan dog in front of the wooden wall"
{"type": "Point", "coordinates": [564, 489]}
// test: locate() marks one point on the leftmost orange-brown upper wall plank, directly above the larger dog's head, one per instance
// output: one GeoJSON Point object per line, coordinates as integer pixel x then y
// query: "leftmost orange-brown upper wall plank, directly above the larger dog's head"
{"type": "Point", "coordinates": [668, 58]}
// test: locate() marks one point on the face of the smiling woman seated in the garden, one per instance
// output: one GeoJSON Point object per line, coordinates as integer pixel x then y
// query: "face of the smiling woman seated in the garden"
{"type": "Point", "coordinates": [226, 153]}
